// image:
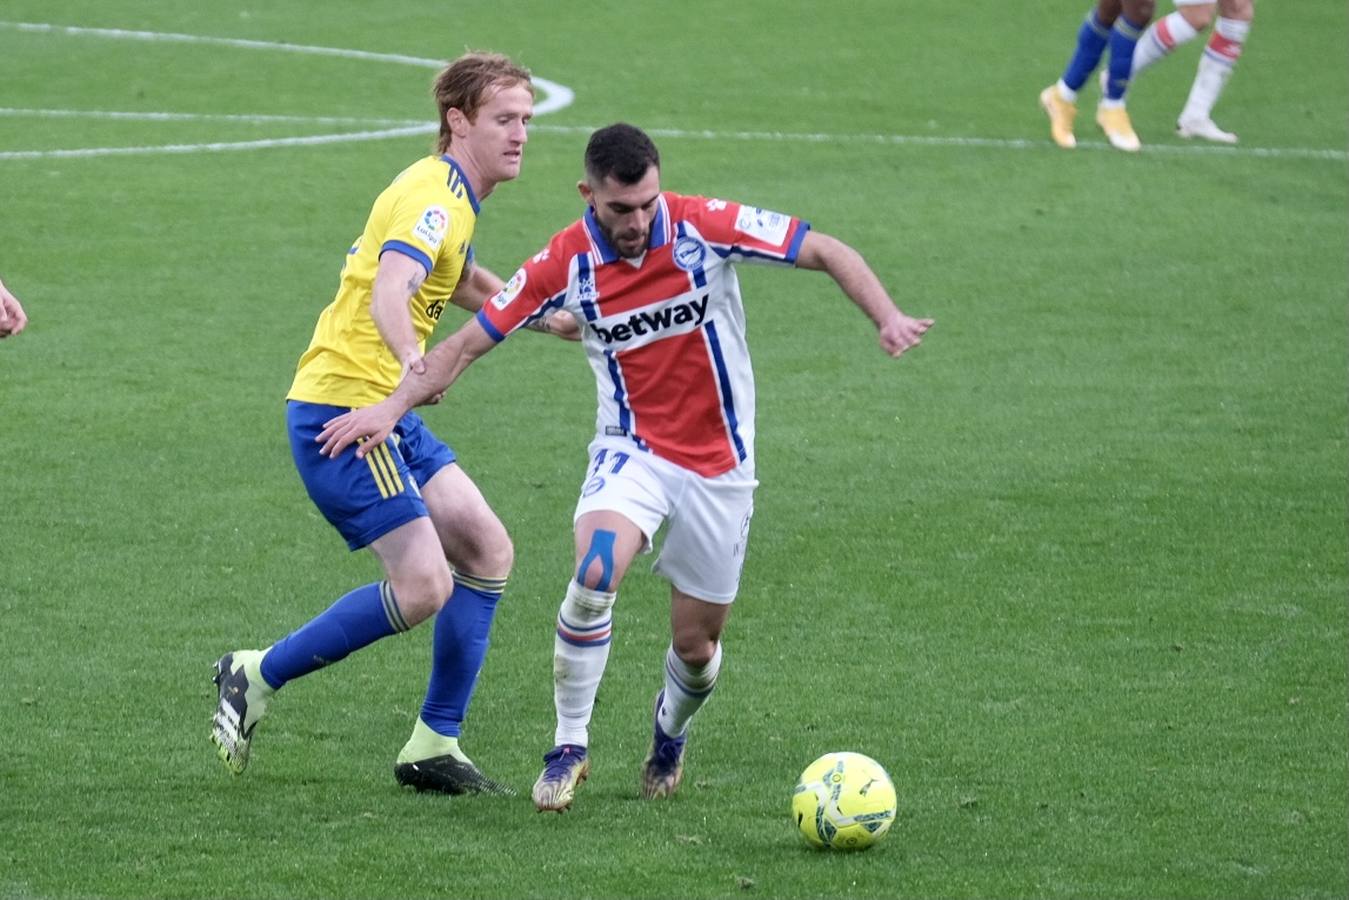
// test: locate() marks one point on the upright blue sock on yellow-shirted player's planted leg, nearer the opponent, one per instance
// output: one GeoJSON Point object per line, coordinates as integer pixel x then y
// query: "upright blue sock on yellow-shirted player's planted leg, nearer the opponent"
{"type": "Point", "coordinates": [459, 648]}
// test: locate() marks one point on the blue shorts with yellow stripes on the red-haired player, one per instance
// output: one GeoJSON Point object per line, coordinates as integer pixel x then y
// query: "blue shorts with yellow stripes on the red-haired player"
{"type": "Point", "coordinates": [366, 499]}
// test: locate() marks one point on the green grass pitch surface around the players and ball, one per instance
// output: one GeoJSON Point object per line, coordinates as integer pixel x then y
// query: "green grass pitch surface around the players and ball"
{"type": "Point", "coordinates": [1074, 571]}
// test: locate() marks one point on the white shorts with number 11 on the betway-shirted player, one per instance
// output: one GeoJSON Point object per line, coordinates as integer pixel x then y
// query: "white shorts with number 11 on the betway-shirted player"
{"type": "Point", "coordinates": [709, 517]}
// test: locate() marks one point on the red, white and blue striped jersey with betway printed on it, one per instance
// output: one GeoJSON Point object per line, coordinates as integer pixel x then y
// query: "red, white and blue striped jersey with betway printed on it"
{"type": "Point", "coordinates": [664, 334]}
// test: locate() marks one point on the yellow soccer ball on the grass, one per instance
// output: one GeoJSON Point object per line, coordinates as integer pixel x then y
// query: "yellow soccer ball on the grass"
{"type": "Point", "coordinates": [844, 802]}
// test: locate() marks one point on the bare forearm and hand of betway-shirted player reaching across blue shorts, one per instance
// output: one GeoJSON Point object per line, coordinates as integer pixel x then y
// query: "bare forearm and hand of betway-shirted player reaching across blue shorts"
{"type": "Point", "coordinates": [370, 426]}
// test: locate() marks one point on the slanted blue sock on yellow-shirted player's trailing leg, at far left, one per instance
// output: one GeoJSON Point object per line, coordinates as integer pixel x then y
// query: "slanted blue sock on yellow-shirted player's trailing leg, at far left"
{"type": "Point", "coordinates": [358, 619]}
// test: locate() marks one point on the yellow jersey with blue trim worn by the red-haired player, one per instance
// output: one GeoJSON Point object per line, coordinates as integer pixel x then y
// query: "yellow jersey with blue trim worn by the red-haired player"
{"type": "Point", "coordinates": [427, 214]}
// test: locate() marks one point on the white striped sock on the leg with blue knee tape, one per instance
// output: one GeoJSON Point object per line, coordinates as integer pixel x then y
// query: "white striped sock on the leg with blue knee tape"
{"type": "Point", "coordinates": [581, 652]}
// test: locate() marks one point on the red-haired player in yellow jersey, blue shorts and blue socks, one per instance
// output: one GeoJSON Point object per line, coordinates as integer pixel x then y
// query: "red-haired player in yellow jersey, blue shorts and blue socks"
{"type": "Point", "coordinates": [407, 500]}
